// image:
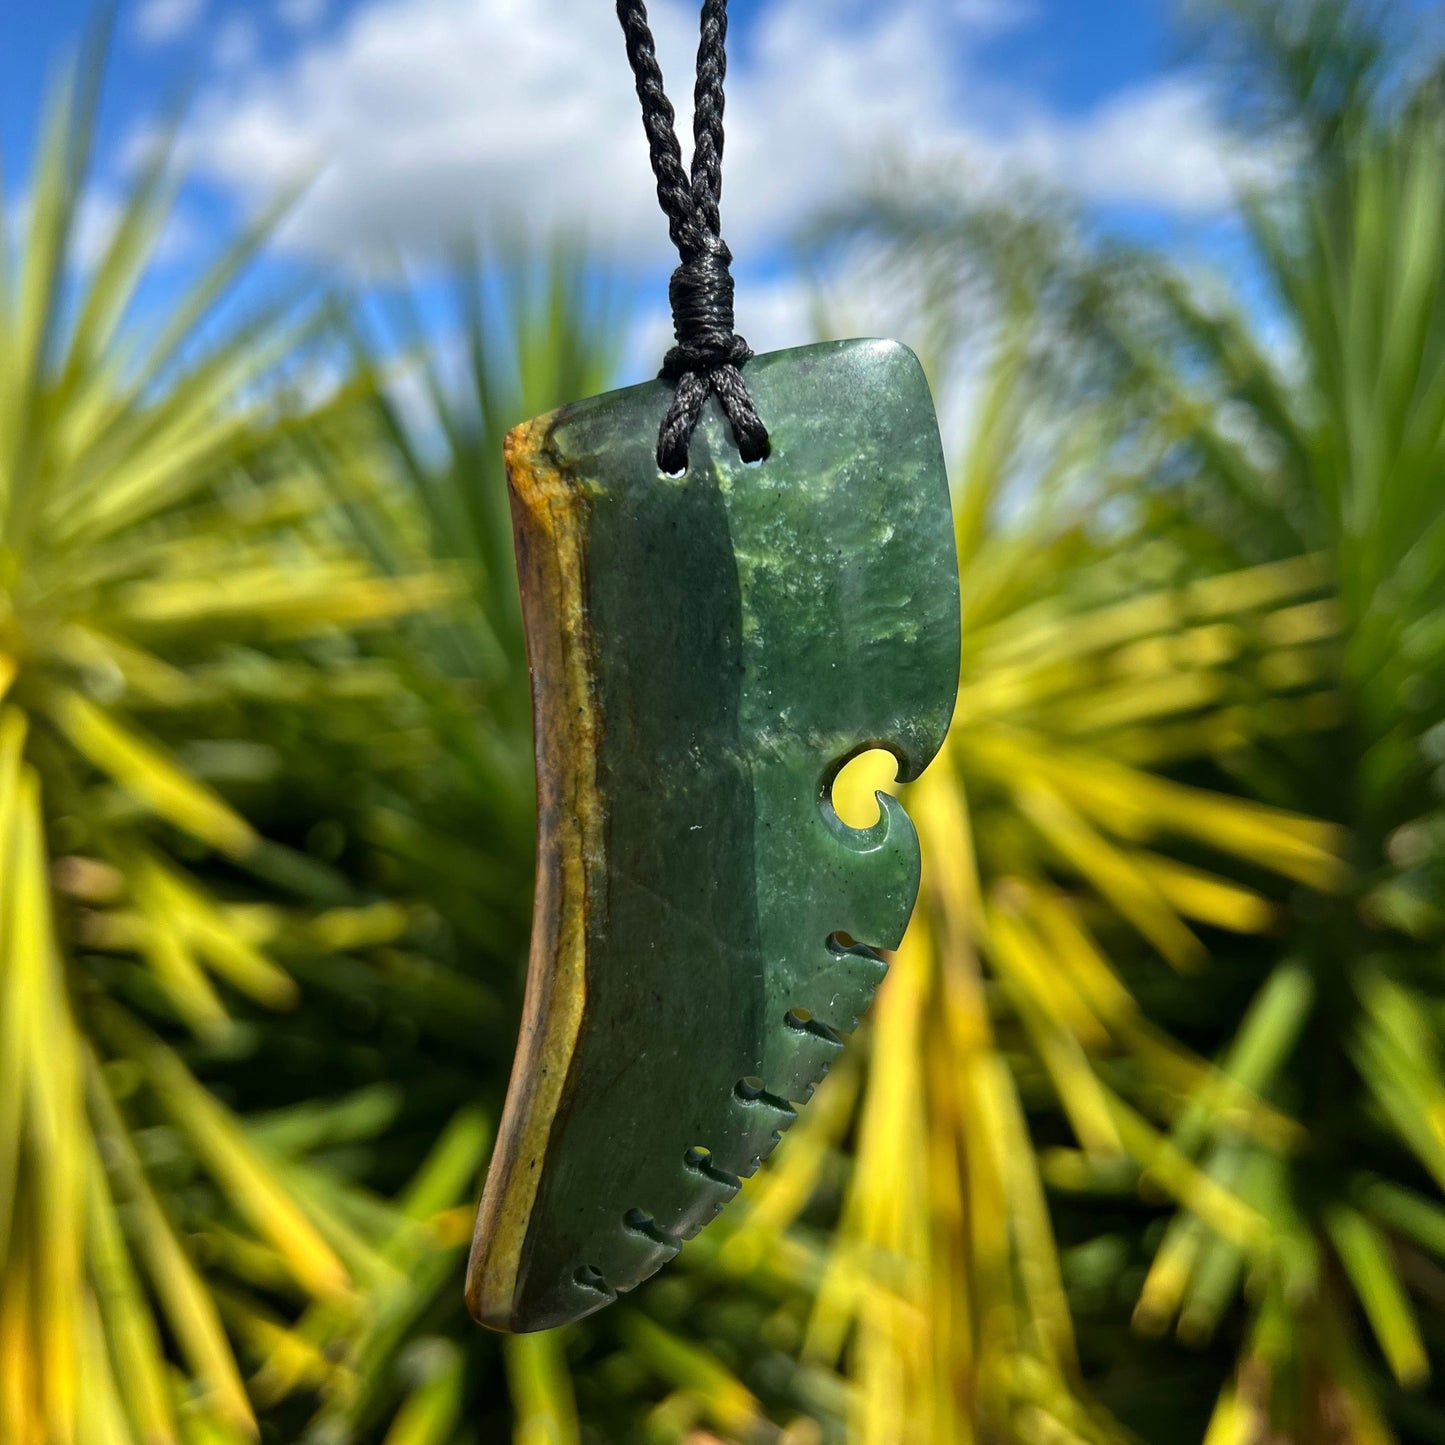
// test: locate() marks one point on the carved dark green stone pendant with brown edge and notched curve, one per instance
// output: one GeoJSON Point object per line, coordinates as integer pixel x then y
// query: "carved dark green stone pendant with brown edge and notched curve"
{"type": "Point", "coordinates": [707, 652]}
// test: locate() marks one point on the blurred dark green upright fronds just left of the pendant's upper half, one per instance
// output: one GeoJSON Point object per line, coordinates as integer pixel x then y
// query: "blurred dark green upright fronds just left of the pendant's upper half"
{"type": "Point", "coordinates": [522, 336]}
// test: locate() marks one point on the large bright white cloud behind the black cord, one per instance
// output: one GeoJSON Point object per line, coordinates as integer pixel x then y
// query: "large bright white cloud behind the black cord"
{"type": "Point", "coordinates": [424, 119]}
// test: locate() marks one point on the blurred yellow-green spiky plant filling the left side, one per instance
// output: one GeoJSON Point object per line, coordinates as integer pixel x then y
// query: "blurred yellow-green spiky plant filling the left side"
{"type": "Point", "coordinates": [168, 574]}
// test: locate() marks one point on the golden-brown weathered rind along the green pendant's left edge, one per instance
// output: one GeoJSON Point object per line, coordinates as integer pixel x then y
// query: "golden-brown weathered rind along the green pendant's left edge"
{"type": "Point", "coordinates": [548, 517]}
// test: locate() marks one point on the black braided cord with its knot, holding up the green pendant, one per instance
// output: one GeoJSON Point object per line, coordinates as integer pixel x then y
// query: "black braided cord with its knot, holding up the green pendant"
{"type": "Point", "coordinates": [709, 352]}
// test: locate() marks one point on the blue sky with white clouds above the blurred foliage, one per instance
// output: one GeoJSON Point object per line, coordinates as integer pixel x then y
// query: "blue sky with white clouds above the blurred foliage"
{"type": "Point", "coordinates": [421, 119]}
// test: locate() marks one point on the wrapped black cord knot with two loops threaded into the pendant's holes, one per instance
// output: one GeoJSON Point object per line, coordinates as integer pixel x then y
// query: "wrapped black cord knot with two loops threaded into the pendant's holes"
{"type": "Point", "coordinates": [707, 358]}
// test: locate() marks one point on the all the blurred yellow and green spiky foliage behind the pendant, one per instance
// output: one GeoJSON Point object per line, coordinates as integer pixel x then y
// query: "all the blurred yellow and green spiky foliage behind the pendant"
{"type": "Point", "coordinates": [1142, 1139]}
